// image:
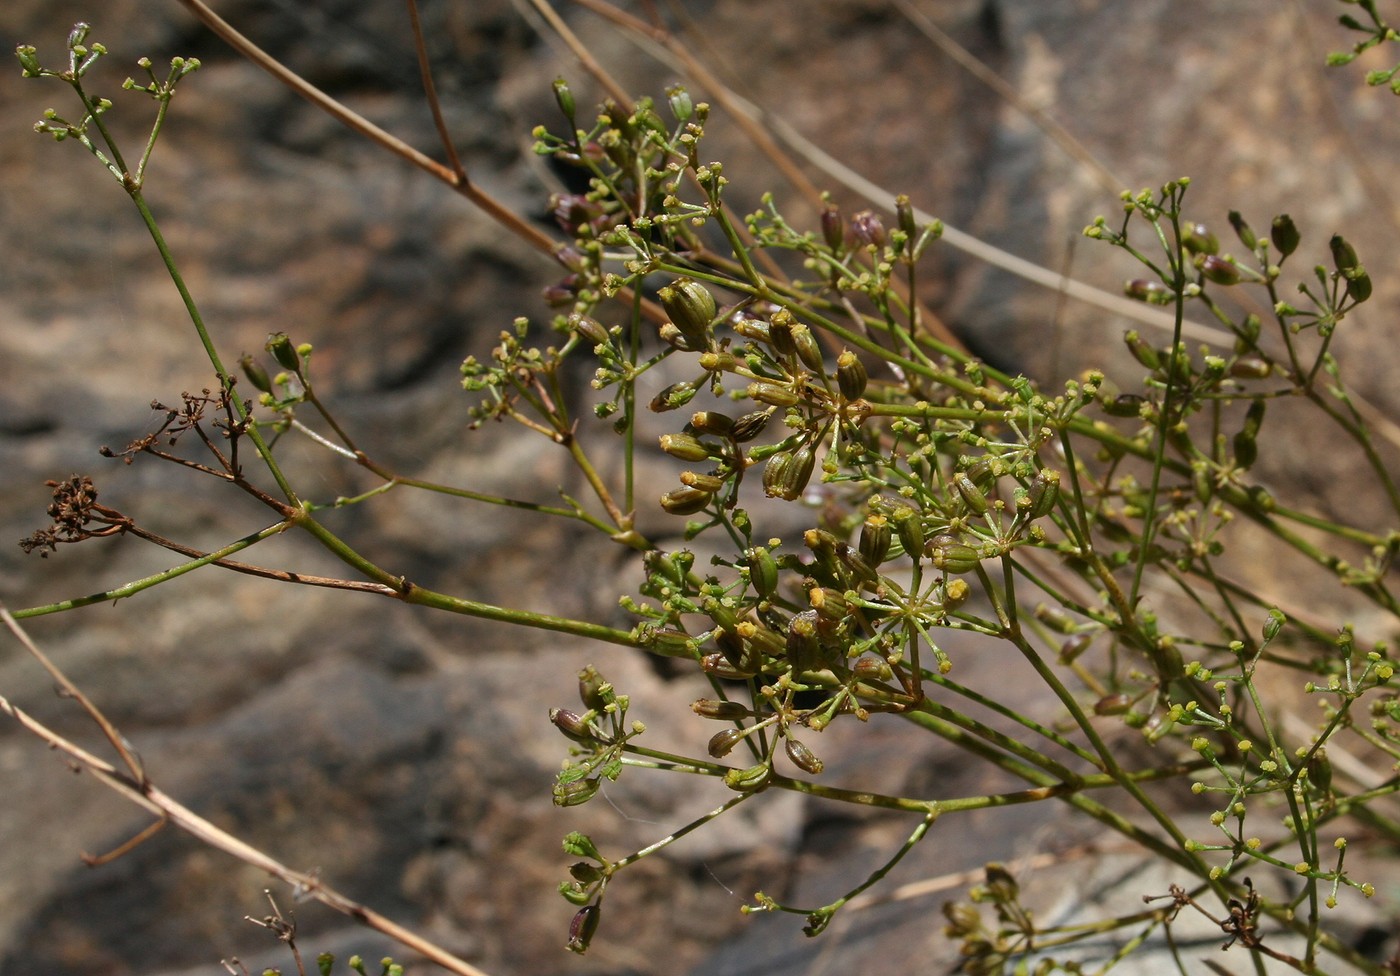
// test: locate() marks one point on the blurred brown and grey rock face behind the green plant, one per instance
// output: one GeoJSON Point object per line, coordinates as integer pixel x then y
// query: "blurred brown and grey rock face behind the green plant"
{"type": "Point", "coordinates": [404, 754]}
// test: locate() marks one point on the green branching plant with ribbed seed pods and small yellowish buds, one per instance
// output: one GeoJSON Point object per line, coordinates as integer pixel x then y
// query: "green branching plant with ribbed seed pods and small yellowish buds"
{"type": "Point", "coordinates": [940, 498]}
